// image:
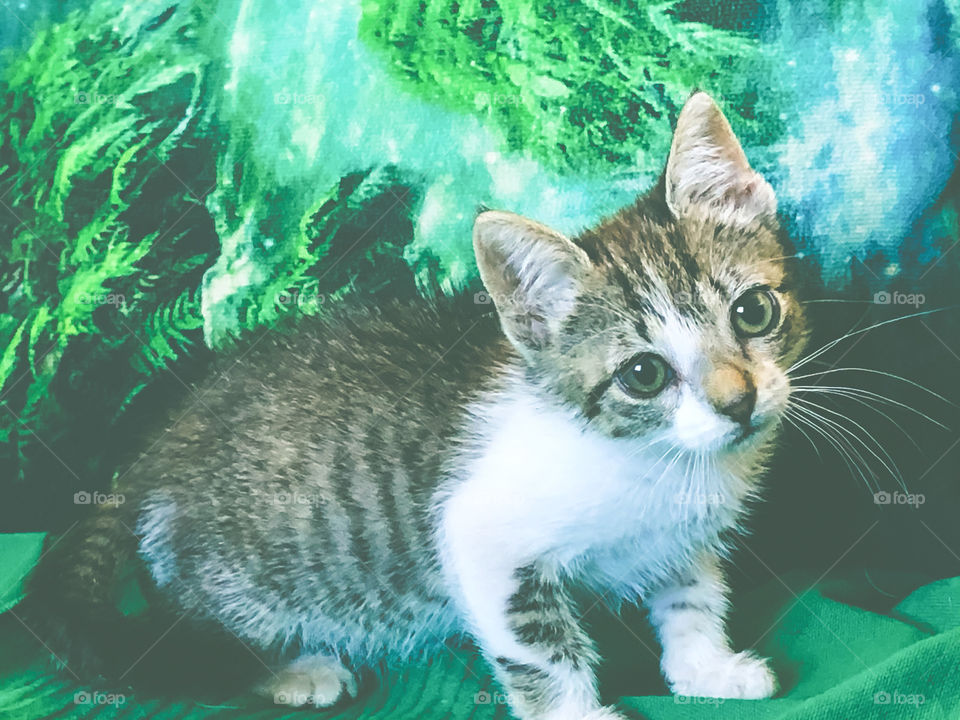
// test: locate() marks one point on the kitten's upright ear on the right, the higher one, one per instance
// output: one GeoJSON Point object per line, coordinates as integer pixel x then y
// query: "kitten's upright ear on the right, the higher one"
{"type": "Point", "coordinates": [707, 170]}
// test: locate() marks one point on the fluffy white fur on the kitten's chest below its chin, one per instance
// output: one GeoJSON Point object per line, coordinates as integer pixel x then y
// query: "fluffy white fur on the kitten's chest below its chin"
{"type": "Point", "coordinates": [542, 487]}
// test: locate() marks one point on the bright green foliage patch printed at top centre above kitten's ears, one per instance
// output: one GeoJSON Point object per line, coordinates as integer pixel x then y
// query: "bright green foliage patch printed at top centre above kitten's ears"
{"type": "Point", "coordinates": [579, 85]}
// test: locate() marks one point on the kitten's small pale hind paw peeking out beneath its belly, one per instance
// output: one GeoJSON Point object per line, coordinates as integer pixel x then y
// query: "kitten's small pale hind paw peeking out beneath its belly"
{"type": "Point", "coordinates": [314, 680]}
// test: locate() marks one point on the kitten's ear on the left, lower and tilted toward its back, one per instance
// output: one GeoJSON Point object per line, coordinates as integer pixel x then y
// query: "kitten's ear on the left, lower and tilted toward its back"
{"type": "Point", "coordinates": [532, 274]}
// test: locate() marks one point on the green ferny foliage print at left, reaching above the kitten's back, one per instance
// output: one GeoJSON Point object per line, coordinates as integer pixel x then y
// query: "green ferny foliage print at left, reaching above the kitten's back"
{"type": "Point", "coordinates": [127, 208]}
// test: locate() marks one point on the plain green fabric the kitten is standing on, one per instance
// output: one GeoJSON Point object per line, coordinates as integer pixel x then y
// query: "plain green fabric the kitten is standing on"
{"type": "Point", "coordinates": [835, 661]}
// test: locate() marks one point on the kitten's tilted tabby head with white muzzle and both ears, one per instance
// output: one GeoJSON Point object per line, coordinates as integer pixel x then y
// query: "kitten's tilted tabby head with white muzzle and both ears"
{"type": "Point", "coordinates": [676, 317]}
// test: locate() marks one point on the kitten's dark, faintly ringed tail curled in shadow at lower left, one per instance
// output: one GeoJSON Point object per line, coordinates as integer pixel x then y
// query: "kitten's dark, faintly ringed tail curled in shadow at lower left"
{"type": "Point", "coordinates": [72, 607]}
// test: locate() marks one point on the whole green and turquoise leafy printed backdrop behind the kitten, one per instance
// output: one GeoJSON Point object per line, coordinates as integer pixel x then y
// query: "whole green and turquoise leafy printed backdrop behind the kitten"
{"type": "Point", "coordinates": [172, 176]}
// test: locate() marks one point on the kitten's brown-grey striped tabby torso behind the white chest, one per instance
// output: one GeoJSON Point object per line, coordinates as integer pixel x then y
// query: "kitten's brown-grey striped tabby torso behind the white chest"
{"type": "Point", "coordinates": [291, 490]}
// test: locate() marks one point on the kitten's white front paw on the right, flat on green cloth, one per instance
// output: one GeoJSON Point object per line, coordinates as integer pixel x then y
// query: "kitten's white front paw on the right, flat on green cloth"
{"type": "Point", "coordinates": [740, 675]}
